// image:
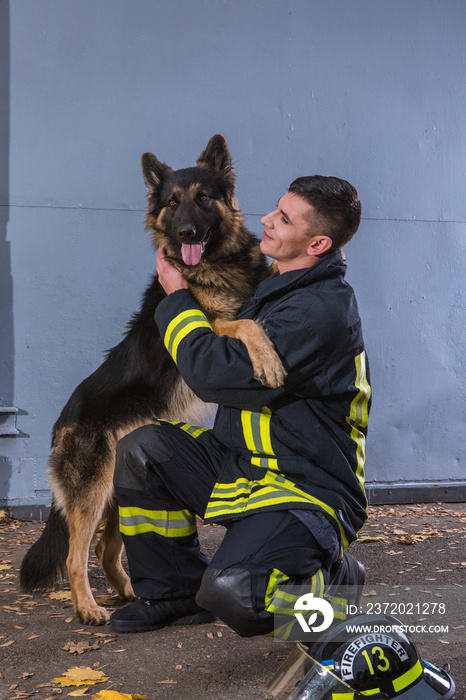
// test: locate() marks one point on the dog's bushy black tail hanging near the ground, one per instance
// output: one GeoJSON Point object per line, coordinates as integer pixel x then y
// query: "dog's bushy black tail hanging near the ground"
{"type": "Point", "coordinates": [45, 561]}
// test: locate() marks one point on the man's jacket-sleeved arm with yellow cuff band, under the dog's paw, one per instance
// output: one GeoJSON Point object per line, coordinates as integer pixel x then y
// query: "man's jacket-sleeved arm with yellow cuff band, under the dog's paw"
{"type": "Point", "coordinates": [218, 369]}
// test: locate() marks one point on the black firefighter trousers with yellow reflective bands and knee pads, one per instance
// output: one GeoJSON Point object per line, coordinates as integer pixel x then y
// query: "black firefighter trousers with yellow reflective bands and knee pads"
{"type": "Point", "coordinates": [164, 475]}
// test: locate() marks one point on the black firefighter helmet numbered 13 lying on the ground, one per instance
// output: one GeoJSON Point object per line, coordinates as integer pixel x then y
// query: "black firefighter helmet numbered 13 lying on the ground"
{"type": "Point", "coordinates": [381, 662]}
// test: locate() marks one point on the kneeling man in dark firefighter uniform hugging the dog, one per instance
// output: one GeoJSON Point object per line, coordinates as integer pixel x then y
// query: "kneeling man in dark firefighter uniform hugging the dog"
{"type": "Point", "coordinates": [283, 468]}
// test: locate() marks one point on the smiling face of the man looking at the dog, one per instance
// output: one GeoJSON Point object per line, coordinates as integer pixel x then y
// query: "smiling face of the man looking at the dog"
{"type": "Point", "coordinates": [286, 237]}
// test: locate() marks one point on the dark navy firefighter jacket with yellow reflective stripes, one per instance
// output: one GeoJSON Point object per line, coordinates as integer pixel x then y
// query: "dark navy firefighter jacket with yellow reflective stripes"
{"type": "Point", "coordinates": [299, 446]}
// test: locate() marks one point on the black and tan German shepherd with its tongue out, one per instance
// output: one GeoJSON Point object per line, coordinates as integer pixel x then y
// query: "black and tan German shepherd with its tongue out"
{"type": "Point", "coordinates": [193, 216]}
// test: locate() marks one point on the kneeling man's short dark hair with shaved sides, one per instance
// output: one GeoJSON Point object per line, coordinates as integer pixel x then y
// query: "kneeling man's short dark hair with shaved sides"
{"type": "Point", "coordinates": [337, 209]}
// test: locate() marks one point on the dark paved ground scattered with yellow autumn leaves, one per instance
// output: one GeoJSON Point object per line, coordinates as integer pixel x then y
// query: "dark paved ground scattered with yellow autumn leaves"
{"type": "Point", "coordinates": [40, 640]}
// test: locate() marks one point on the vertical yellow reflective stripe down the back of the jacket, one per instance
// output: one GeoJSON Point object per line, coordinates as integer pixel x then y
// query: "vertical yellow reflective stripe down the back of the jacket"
{"type": "Point", "coordinates": [359, 415]}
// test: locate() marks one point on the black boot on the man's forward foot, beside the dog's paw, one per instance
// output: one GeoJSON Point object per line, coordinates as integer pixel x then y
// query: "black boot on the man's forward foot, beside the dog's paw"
{"type": "Point", "coordinates": [145, 615]}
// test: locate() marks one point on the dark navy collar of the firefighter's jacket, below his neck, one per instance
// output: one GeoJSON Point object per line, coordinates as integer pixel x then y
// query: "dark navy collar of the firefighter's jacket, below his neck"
{"type": "Point", "coordinates": [330, 265]}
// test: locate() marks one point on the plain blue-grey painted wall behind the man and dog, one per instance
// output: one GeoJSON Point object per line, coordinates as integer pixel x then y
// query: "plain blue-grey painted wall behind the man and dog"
{"type": "Point", "coordinates": [370, 91]}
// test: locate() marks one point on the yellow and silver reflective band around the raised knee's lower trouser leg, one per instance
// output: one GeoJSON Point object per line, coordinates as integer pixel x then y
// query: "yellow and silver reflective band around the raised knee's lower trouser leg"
{"type": "Point", "coordinates": [174, 523]}
